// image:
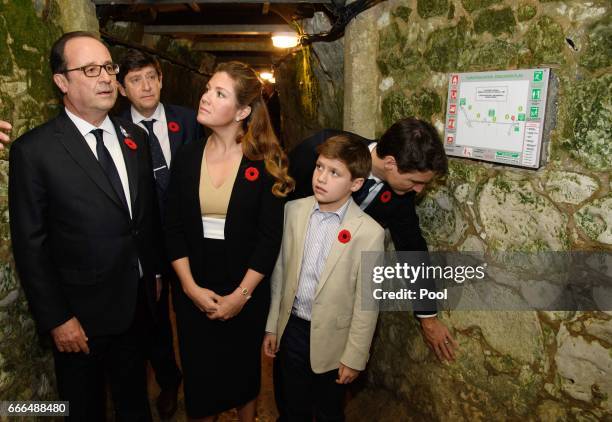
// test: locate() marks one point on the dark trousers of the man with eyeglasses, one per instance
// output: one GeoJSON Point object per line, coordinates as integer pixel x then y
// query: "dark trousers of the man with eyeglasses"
{"type": "Point", "coordinates": [81, 378]}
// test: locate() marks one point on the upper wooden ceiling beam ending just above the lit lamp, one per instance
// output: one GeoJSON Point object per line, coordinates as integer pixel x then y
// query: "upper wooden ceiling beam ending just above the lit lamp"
{"type": "Point", "coordinates": [217, 29]}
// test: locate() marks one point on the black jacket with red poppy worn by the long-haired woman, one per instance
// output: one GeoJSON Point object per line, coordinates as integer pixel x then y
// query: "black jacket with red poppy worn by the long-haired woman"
{"type": "Point", "coordinates": [253, 225]}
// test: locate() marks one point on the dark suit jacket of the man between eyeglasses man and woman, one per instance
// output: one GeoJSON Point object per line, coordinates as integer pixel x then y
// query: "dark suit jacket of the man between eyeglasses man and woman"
{"type": "Point", "coordinates": [188, 130]}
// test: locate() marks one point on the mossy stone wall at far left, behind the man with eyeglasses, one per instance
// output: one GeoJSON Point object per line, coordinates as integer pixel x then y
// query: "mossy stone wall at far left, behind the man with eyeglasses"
{"type": "Point", "coordinates": [27, 99]}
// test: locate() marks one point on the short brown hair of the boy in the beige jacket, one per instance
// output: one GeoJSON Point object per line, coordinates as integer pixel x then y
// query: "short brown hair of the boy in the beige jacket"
{"type": "Point", "coordinates": [351, 151]}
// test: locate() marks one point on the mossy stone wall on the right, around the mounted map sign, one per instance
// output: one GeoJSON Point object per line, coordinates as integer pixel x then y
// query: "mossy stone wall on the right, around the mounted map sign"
{"type": "Point", "coordinates": [511, 365]}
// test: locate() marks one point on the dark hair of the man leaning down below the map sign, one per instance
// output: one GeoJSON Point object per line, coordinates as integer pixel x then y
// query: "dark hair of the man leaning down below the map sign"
{"type": "Point", "coordinates": [415, 145]}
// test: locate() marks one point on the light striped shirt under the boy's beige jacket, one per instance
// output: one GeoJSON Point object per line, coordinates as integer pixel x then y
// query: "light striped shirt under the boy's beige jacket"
{"type": "Point", "coordinates": [320, 236]}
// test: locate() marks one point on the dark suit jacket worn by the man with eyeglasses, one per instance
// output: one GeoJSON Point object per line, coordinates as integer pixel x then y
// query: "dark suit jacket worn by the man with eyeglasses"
{"type": "Point", "coordinates": [76, 248]}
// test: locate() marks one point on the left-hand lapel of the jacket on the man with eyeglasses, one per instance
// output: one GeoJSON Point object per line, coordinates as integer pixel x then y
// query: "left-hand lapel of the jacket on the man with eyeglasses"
{"type": "Point", "coordinates": [77, 148]}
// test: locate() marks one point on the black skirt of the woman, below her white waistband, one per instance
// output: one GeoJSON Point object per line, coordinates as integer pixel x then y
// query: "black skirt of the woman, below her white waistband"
{"type": "Point", "coordinates": [221, 359]}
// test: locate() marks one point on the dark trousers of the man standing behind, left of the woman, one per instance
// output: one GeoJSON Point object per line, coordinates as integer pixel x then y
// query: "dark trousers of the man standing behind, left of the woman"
{"type": "Point", "coordinates": [161, 347]}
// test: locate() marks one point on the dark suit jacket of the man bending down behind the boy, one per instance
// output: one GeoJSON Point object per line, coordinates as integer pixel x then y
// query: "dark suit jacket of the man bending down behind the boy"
{"type": "Point", "coordinates": [398, 214]}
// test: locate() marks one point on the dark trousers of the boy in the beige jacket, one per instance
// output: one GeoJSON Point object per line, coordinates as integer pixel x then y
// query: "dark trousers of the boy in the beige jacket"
{"type": "Point", "coordinates": [305, 393]}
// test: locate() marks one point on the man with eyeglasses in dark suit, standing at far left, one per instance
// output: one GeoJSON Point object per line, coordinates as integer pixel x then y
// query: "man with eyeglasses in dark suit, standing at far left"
{"type": "Point", "coordinates": [84, 221]}
